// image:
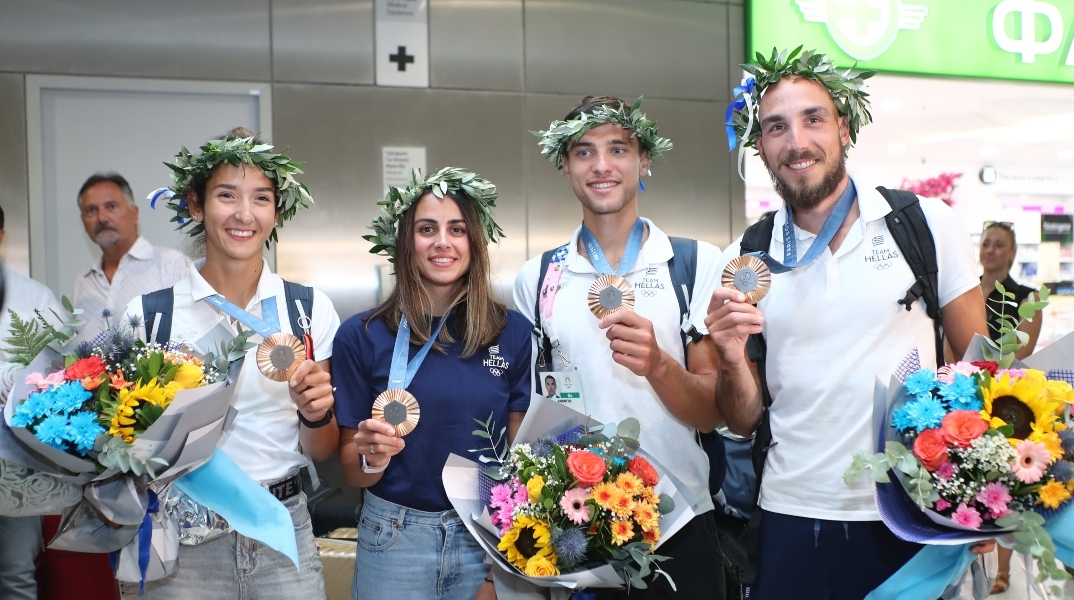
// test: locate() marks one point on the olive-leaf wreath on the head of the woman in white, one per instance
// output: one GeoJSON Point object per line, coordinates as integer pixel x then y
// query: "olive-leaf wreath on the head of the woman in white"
{"type": "Point", "coordinates": [291, 195]}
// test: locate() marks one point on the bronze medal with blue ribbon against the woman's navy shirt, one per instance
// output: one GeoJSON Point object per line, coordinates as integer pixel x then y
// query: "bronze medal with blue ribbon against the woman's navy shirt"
{"type": "Point", "coordinates": [396, 406]}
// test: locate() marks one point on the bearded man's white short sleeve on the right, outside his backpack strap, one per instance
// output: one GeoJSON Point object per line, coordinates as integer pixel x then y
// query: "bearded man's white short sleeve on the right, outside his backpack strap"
{"type": "Point", "coordinates": [959, 272]}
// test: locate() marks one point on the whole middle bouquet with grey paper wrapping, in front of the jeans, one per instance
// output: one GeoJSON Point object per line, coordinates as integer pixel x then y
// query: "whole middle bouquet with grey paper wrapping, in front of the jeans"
{"type": "Point", "coordinates": [586, 508]}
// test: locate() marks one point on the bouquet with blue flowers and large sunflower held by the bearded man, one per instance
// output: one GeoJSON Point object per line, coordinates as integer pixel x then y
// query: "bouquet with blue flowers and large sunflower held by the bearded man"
{"type": "Point", "coordinates": [981, 450]}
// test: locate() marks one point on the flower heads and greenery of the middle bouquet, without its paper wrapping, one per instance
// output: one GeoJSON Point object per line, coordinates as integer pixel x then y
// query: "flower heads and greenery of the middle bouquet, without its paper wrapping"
{"type": "Point", "coordinates": [577, 502]}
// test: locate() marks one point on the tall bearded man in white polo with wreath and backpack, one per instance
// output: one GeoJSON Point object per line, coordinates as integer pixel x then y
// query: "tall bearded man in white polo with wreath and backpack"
{"type": "Point", "coordinates": [838, 316]}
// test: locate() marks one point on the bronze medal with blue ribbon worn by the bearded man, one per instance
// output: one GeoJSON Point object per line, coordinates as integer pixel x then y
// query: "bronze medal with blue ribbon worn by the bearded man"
{"type": "Point", "coordinates": [752, 274]}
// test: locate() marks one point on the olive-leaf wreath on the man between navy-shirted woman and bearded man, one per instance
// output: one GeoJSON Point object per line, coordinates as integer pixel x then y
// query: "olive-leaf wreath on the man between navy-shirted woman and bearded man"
{"type": "Point", "coordinates": [562, 136]}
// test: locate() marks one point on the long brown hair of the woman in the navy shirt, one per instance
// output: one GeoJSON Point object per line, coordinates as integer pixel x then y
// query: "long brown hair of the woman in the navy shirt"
{"type": "Point", "coordinates": [477, 316]}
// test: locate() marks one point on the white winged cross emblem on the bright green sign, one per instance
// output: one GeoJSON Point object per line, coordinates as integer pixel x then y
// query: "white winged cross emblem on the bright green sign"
{"type": "Point", "coordinates": [864, 30]}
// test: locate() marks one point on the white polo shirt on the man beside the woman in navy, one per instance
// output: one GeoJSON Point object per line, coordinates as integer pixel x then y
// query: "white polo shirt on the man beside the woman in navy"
{"type": "Point", "coordinates": [612, 392]}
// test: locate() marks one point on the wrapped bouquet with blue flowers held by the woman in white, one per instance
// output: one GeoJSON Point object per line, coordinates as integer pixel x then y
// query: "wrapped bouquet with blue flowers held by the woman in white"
{"type": "Point", "coordinates": [114, 416]}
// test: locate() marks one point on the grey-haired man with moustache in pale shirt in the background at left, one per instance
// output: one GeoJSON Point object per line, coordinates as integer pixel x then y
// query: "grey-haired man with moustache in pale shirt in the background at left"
{"type": "Point", "coordinates": [129, 267]}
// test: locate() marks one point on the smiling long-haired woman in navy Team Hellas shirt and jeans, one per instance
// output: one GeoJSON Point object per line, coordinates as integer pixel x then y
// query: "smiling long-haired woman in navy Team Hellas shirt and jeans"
{"type": "Point", "coordinates": [412, 377]}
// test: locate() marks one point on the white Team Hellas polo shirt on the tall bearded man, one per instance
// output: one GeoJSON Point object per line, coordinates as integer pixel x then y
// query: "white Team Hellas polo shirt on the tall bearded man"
{"type": "Point", "coordinates": [832, 329]}
